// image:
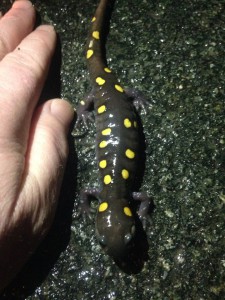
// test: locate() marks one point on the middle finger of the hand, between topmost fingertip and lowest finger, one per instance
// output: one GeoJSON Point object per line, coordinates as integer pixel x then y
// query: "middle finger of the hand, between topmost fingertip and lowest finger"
{"type": "Point", "coordinates": [22, 75]}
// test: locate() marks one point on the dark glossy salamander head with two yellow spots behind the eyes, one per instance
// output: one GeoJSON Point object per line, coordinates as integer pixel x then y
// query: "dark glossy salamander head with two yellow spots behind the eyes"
{"type": "Point", "coordinates": [115, 227]}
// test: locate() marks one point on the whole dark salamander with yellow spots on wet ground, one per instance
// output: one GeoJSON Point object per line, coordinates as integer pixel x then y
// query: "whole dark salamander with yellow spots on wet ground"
{"type": "Point", "coordinates": [117, 145]}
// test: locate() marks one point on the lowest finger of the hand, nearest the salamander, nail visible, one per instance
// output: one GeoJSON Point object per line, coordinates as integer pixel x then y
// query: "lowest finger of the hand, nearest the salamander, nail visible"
{"type": "Point", "coordinates": [45, 161]}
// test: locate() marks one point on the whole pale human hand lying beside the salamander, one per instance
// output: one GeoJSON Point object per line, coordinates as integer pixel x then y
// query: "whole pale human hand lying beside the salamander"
{"type": "Point", "coordinates": [33, 139]}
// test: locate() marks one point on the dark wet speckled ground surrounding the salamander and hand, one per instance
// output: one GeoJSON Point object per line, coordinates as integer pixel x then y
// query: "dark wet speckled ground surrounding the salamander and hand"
{"type": "Point", "coordinates": [173, 51]}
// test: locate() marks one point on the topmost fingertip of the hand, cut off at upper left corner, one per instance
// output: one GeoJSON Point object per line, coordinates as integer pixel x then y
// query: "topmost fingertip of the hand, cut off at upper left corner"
{"type": "Point", "coordinates": [17, 23]}
